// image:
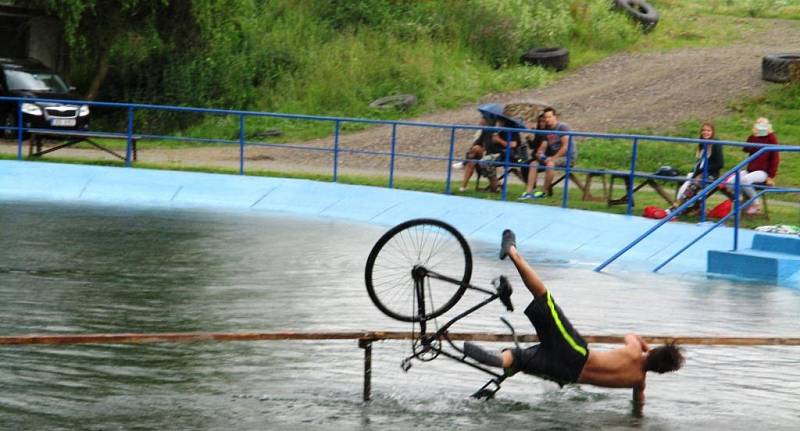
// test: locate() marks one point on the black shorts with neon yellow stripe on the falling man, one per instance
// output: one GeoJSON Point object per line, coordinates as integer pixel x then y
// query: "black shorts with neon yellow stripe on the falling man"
{"type": "Point", "coordinates": [561, 352]}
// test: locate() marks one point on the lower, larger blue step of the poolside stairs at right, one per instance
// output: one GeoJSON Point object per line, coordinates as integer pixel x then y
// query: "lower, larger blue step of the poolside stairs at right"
{"type": "Point", "coordinates": [755, 264]}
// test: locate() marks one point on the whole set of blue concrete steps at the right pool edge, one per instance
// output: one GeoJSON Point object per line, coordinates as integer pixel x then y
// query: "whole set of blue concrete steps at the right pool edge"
{"type": "Point", "coordinates": [774, 258]}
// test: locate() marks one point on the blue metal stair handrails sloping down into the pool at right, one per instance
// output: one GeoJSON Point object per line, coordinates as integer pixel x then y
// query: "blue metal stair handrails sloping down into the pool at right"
{"type": "Point", "coordinates": [701, 195]}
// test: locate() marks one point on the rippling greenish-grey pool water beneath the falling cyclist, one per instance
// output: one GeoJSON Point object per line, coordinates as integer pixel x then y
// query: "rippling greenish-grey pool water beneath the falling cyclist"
{"type": "Point", "coordinates": [75, 269]}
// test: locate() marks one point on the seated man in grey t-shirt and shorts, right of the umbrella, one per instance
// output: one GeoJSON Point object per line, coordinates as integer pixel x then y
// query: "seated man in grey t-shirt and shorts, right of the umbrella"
{"type": "Point", "coordinates": [550, 153]}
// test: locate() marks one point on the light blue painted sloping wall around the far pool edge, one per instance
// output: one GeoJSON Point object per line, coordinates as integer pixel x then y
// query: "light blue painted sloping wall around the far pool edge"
{"type": "Point", "coordinates": [580, 236]}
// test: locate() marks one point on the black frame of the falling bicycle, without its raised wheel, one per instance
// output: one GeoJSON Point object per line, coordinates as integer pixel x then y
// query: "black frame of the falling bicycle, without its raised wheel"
{"type": "Point", "coordinates": [431, 343]}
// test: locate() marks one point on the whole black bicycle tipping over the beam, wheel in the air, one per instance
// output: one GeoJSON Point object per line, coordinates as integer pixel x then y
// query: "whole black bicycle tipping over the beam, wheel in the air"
{"type": "Point", "coordinates": [415, 266]}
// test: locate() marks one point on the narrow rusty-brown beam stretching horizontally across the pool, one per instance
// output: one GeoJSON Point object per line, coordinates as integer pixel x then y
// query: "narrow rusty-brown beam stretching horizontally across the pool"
{"type": "Point", "coordinates": [185, 337]}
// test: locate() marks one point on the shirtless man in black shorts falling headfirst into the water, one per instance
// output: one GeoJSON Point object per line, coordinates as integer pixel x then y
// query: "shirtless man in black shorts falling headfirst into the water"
{"type": "Point", "coordinates": [563, 356]}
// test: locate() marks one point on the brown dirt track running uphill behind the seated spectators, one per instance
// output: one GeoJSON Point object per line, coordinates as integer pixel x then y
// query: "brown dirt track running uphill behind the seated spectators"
{"type": "Point", "coordinates": [627, 90]}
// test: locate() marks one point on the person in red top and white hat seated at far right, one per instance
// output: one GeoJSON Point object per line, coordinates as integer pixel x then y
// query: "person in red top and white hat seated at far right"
{"type": "Point", "coordinates": [761, 170]}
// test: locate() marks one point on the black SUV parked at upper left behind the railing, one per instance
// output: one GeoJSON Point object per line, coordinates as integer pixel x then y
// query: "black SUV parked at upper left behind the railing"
{"type": "Point", "coordinates": [26, 77]}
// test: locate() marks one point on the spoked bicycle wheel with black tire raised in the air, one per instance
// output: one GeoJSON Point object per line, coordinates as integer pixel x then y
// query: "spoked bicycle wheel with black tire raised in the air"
{"type": "Point", "coordinates": [415, 242]}
